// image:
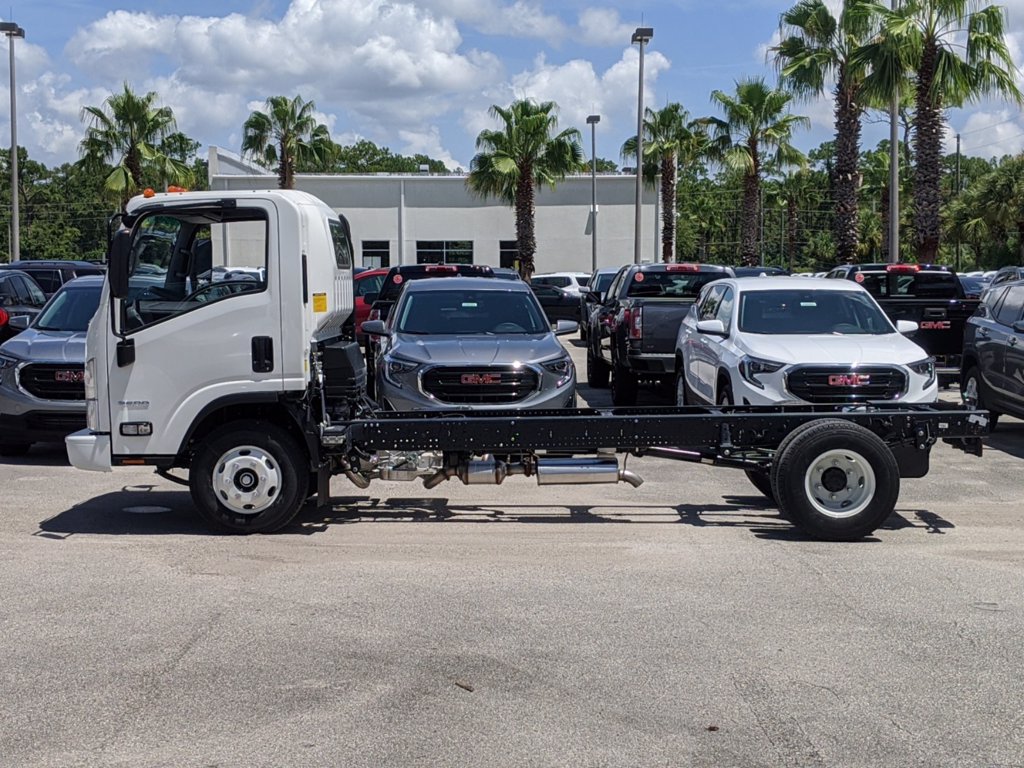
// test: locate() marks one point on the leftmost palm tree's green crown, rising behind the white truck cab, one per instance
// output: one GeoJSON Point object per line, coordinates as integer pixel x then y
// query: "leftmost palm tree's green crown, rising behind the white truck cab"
{"type": "Point", "coordinates": [126, 131]}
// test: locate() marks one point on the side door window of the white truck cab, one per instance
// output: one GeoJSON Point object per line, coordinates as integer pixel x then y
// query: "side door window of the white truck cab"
{"type": "Point", "coordinates": [186, 262]}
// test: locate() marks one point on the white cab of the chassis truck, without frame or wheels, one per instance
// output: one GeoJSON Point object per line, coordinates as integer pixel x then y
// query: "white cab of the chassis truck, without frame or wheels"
{"type": "Point", "coordinates": [207, 342]}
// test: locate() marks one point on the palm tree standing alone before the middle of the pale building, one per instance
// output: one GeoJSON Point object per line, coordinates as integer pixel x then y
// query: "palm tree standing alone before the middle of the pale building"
{"type": "Point", "coordinates": [524, 155]}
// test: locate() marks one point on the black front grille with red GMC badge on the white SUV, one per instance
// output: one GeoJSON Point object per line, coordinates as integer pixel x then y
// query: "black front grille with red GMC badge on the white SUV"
{"type": "Point", "coordinates": [845, 385]}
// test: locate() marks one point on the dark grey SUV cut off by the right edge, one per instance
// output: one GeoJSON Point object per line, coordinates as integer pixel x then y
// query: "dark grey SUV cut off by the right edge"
{"type": "Point", "coordinates": [994, 353]}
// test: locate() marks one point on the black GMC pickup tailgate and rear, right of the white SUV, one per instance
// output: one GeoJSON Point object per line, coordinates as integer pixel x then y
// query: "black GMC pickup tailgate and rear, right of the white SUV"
{"type": "Point", "coordinates": [931, 295]}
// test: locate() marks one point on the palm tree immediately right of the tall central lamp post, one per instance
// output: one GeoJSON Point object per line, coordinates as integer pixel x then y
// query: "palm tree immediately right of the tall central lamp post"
{"type": "Point", "coordinates": [671, 141]}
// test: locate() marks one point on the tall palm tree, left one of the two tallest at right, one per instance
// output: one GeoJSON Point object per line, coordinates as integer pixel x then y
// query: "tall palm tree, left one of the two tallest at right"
{"type": "Point", "coordinates": [818, 49]}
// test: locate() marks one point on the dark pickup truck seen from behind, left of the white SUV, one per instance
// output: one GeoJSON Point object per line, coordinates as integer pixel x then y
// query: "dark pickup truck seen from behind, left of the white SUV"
{"type": "Point", "coordinates": [631, 336]}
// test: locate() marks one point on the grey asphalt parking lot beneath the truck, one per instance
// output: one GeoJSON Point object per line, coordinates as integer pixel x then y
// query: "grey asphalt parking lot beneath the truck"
{"type": "Point", "coordinates": [680, 624]}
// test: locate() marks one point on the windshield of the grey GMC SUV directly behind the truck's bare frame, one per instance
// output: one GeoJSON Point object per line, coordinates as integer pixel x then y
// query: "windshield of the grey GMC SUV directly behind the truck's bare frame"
{"type": "Point", "coordinates": [472, 313]}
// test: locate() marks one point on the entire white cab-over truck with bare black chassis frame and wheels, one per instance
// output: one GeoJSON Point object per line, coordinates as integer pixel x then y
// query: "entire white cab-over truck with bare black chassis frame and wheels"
{"type": "Point", "coordinates": [254, 385]}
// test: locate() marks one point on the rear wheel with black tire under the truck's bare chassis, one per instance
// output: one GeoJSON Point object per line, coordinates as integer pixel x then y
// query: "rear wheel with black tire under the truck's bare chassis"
{"type": "Point", "coordinates": [836, 481]}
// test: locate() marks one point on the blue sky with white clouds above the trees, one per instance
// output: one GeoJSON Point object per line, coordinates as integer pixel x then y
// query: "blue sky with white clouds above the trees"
{"type": "Point", "coordinates": [413, 75]}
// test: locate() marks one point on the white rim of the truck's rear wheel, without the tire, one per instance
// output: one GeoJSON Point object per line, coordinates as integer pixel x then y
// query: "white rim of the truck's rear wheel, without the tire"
{"type": "Point", "coordinates": [840, 484]}
